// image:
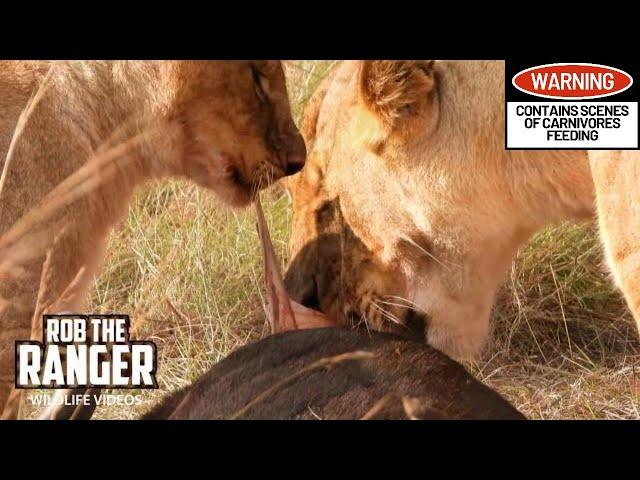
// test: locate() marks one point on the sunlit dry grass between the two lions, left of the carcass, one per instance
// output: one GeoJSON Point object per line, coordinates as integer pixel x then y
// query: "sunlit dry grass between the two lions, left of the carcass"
{"type": "Point", "coordinates": [188, 270]}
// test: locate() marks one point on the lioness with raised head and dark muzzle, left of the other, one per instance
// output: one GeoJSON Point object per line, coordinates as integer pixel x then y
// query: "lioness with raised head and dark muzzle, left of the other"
{"type": "Point", "coordinates": [94, 131]}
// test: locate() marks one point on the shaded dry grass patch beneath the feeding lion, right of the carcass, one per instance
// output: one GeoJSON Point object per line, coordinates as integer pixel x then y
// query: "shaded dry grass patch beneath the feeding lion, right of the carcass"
{"type": "Point", "coordinates": [564, 344]}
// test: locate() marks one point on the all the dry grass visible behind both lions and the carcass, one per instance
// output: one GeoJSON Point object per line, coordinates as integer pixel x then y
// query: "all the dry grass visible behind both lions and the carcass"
{"type": "Point", "coordinates": [188, 271]}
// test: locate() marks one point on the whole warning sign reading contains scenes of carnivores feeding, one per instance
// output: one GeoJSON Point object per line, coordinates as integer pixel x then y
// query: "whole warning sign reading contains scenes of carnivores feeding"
{"type": "Point", "coordinates": [575, 116]}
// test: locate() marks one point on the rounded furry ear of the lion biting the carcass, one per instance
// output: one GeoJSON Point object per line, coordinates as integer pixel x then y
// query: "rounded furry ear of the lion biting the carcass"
{"type": "Point", "coordinates": [396, 89]}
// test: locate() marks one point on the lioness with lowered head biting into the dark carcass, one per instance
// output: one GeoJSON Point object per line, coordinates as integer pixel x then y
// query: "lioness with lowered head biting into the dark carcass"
{"type": "Point", "coordinates": [412, 153]}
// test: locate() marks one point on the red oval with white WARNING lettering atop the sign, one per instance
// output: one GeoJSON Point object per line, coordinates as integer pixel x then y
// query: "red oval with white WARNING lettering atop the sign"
{"type": "Point", "coordinates": [572, 80]}
